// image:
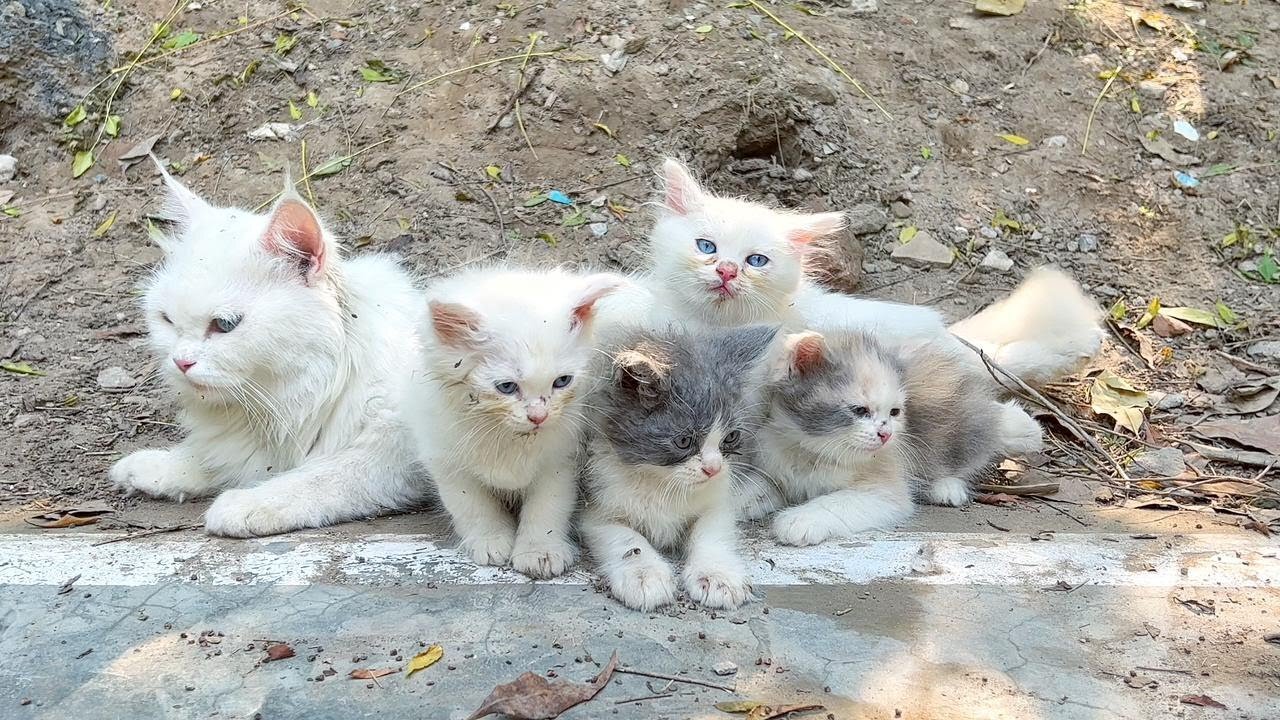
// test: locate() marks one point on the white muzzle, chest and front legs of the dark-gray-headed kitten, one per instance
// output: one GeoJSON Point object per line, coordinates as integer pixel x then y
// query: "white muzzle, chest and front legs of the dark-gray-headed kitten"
{"type": "Point", "coordinates": [637, 512]}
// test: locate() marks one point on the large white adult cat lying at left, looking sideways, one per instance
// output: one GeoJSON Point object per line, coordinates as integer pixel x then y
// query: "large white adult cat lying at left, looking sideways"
{"type": "Point", "coordinates": [286, 361]}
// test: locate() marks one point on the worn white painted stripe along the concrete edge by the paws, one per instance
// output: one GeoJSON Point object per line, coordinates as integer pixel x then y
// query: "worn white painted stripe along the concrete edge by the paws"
{"type": "Point", "coordinates": [971, 559]}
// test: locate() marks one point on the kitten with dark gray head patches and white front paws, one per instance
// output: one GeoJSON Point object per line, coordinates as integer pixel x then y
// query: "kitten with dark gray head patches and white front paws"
{"type": "Point", "coordinates": [671, 425]}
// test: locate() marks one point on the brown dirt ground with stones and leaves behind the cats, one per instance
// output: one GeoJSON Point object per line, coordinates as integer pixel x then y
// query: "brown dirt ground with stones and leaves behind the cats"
{"type": "Point", "coordinates": [998, 134]}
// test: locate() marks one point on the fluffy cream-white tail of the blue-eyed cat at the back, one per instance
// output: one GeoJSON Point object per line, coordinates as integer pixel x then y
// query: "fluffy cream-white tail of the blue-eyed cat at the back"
{"type": "Point", "coordinates": [1044, 331]}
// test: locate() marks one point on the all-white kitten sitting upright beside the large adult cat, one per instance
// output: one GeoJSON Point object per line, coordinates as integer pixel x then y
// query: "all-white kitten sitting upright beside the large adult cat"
{"type": "Point", "coordinates": [497, 409]}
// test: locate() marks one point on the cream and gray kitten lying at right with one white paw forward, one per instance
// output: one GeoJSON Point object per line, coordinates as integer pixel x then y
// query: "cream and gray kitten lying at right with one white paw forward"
{"type": "Point", "coordinates": [856, 427]}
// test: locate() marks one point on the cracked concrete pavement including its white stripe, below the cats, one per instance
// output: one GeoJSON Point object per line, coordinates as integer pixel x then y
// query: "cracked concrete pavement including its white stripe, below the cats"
{"type": "Point", "coordinates": [868, 640]}
